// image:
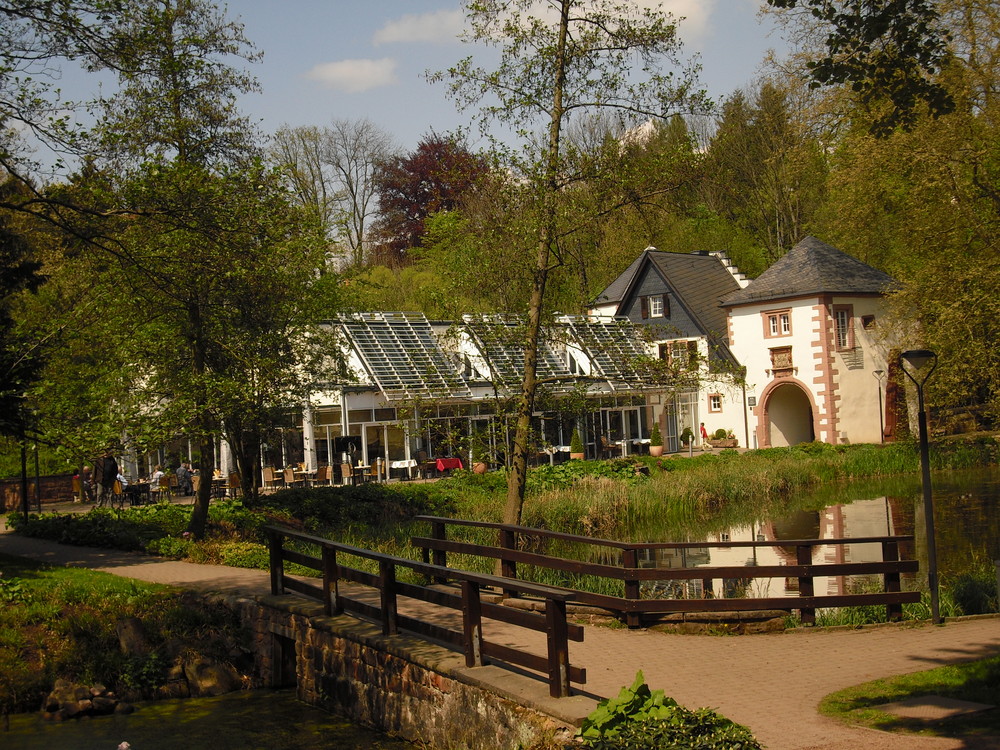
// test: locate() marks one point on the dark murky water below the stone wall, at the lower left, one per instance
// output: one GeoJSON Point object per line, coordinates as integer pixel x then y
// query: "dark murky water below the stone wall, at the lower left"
{"type": "Point", "coordinates": [265, 719]}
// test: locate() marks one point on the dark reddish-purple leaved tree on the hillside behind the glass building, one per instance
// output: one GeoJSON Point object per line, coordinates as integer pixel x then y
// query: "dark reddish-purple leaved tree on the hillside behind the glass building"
{"type": "Point", "coordinates": [436, 176]}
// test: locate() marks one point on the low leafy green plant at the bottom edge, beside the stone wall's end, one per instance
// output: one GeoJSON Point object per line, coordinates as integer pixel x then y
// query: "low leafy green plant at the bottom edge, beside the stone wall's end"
{"type": "Point", "coordinates": [642, 718]}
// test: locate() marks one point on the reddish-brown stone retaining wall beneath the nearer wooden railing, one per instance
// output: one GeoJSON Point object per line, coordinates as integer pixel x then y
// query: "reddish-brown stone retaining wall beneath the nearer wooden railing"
{"type": "Point", "coordinates": [400, 684]}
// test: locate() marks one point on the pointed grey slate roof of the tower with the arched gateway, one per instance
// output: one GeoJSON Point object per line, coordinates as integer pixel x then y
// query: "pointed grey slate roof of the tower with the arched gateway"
{"type": "Point", "coordinates": [812, 267]}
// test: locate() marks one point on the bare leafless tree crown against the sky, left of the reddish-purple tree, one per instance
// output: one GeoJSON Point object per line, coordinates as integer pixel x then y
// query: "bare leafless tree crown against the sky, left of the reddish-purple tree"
{"type": "Point", "coordinates": [332, 171]}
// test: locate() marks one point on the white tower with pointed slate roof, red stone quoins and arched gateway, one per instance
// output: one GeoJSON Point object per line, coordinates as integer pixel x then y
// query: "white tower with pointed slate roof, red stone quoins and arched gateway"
{"type": "Point", "coordinates": [808, 332]}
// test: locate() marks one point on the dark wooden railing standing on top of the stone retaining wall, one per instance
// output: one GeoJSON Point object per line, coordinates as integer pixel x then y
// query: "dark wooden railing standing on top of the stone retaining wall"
{"type": "Point", "coordinates": [336, 599]}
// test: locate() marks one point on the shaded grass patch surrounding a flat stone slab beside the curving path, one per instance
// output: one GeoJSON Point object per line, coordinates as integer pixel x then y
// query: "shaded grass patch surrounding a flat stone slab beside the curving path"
{"type": "Point", "coordinates": [977, 681]}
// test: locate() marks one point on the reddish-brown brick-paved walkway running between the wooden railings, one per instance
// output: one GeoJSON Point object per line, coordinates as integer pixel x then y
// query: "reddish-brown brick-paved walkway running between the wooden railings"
{"type": "Point", "coordinates": [771, 683]}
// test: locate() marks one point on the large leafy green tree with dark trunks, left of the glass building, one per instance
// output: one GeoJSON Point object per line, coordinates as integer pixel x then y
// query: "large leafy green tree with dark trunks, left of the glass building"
{"type": "Point", "coordinates": [212, 267]}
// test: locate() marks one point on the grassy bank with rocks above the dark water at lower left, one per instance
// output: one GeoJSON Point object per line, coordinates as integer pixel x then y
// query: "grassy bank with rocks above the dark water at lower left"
{"type": "Point", "coordinates": [61, 622]}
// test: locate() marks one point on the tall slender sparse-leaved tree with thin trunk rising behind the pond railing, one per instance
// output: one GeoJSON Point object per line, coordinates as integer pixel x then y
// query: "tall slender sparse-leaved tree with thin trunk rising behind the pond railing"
{"type": "Point", "coordinates": [552, 68]}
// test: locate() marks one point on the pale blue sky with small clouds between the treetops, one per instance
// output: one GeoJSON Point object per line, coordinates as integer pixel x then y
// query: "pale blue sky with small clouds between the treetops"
{"type": "Point", "coordinates": [354, 59]}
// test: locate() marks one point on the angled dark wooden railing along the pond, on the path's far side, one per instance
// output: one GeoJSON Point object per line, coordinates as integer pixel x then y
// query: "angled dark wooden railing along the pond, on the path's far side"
{"type": "Point", "coordinates": [634, 607]}
